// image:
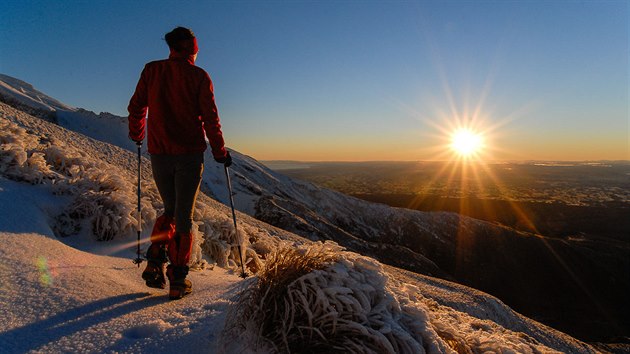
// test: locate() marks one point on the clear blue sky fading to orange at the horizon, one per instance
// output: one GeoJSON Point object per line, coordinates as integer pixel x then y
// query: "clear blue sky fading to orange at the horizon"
{"type": "Point", "coordinates": [354, 80]}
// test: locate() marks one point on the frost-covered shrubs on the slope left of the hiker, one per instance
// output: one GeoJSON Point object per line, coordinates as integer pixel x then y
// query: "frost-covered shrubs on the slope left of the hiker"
{"type": "Point", "coordinates": [101, 193]}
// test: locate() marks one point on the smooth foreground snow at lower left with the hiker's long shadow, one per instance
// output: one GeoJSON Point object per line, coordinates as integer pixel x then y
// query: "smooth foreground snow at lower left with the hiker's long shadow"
{"type": "Point", "coordinates": [56, 298]}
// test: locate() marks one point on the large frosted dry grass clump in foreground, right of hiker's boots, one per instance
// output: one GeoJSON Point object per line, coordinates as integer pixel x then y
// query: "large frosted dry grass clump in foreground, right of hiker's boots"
{"type": "Point", "coordinates": [319, 299]}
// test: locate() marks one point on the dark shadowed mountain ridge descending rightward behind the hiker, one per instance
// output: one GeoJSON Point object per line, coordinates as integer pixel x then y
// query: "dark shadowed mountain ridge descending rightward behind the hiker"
{"type": "Point", "coordinates": [490, 257]}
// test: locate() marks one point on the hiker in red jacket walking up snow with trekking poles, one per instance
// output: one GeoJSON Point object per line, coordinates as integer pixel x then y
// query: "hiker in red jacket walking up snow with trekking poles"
{"type": "Point", "coordinates": [181, 113]}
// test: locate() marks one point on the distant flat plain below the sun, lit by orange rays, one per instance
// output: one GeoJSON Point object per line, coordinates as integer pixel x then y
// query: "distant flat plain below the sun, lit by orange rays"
{"type": "Point", "coordinates": [555, 199]}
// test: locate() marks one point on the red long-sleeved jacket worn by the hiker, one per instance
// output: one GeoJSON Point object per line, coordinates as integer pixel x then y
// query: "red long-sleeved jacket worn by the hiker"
{"type": "Point", "coordinates": [180, 100]}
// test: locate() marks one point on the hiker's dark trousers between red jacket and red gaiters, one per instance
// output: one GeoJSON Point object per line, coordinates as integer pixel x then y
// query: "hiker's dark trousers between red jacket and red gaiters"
{"type": "Point", "coordinates": [178, 178]}
